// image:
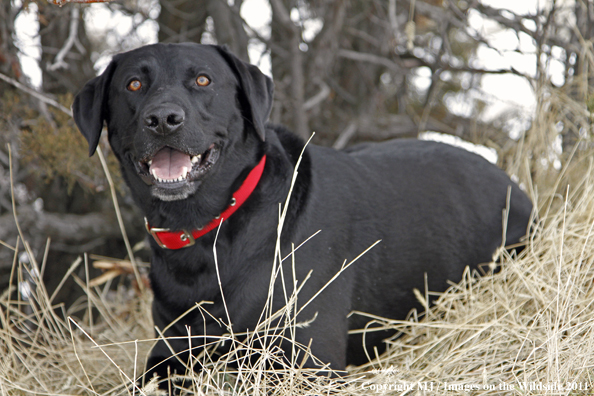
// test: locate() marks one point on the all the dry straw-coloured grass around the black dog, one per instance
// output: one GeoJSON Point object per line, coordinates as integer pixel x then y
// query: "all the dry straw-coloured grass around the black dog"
{"type": "Point", "coordinates": [526, 330]}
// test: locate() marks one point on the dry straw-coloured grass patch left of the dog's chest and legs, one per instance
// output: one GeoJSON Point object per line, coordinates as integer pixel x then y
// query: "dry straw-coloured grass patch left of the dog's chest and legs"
{"type": "Point", "coordinates": [43, 352]}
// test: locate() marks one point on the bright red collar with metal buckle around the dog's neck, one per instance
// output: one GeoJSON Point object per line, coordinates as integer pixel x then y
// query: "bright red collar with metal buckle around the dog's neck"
{"type": "Point", "coordinates": [179, 239]}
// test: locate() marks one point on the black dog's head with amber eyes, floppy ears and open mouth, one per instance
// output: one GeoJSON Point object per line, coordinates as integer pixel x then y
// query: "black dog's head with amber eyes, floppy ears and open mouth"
{"type": "Point", "coordinates": [174, 112]}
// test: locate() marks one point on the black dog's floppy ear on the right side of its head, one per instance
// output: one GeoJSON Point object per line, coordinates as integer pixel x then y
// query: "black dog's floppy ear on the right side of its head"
{"type": "Point", "coordinates": [257, 89]}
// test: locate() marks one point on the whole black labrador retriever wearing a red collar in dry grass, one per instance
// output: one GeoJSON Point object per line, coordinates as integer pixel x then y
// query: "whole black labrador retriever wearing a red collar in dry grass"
{"type": "Point", "coordinates": [188, 124]}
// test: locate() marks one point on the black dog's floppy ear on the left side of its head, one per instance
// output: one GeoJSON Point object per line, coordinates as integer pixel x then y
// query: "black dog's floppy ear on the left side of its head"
{"type": "Point", "coordinates": [90, 107]}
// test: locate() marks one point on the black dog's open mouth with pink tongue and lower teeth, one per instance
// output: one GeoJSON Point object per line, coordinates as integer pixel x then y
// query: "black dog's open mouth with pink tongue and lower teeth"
{"type": "Point", "coordinates": [170, 167]}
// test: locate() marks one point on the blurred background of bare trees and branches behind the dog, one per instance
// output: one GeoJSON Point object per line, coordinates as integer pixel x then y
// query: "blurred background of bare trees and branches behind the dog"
{"type": "Point", "coordinates": [351, 70]}
